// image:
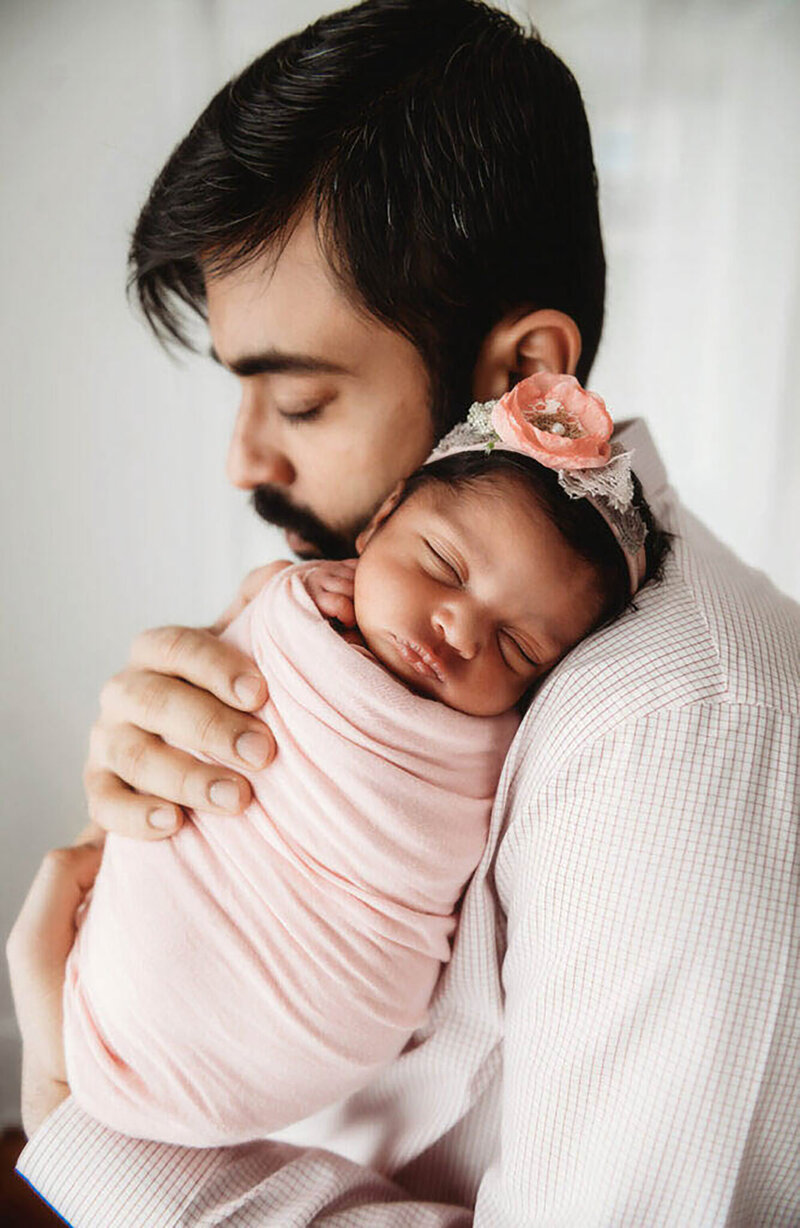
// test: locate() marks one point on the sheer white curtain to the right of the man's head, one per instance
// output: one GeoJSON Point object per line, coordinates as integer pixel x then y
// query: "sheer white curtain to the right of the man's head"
{"type": "Point", "coordinates": [695, 107]}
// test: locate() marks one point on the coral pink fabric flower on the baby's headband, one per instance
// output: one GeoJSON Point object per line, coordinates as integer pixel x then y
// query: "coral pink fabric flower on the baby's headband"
{"type": "Point", "coordinates": [556, 422]}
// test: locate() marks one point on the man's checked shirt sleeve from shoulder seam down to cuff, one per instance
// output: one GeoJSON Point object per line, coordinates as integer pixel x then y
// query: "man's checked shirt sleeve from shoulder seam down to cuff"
{"type": "Point", "coordinates": [651, 1046]}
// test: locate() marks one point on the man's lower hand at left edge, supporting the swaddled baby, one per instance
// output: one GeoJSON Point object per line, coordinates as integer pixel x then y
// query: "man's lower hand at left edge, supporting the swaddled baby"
{"type": "Point", "coordinates": [37, 951]}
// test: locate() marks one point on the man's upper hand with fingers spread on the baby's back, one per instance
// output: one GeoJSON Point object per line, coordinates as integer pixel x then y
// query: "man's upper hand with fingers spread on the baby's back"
{"type": "Point", "coordinates": [182, 686]}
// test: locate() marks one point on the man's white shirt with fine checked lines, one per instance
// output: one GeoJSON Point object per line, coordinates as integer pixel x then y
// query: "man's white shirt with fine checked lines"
{"type": "Point", "coordinates": [616, 1041]}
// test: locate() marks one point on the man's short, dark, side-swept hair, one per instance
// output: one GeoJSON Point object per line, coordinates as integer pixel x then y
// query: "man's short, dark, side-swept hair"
{"type": "Point", "coordinates": [447, 155]}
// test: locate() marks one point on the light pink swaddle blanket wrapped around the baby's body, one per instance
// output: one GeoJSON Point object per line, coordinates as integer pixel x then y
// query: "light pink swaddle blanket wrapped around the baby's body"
{"type": "Point", "coordinates": [251, 971]}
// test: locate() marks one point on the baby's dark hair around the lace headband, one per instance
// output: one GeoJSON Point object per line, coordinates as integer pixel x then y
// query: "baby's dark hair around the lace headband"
{"type": "Point", "coordinates": [579, 524]}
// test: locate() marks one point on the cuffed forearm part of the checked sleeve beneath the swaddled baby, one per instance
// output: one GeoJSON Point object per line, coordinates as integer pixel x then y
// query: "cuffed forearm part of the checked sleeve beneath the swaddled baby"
{"type": "Point", "coordinates": [96, 1178]}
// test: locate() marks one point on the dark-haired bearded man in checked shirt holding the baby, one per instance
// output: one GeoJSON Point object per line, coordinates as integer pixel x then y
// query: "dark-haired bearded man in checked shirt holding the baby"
{"type": "Point", "coordinates": [385, 218]}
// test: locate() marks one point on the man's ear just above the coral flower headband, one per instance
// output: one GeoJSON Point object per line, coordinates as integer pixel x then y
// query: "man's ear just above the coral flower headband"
{"type": "Point", "coordinates": [522, 346]}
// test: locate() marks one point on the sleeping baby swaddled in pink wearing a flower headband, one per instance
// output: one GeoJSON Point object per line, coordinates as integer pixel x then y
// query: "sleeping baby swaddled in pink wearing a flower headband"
{"type": "Point", "coordinates": [291, 956]}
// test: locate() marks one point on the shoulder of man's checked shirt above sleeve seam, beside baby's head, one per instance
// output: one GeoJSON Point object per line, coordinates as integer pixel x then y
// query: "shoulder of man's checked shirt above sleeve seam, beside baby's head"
{"type": "Point", "coordinates": [712, 632]}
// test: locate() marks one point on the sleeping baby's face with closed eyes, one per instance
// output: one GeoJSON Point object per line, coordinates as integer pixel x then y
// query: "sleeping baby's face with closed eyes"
{"type": "Point", "coordinates": [470, 597]}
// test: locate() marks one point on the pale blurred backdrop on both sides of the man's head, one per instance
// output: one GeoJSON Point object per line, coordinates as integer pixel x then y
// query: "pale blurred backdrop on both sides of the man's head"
{"type": "Point", "coordinates": [116, 510]}
